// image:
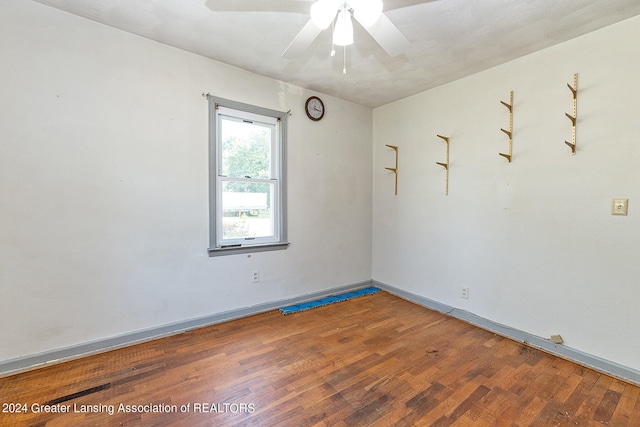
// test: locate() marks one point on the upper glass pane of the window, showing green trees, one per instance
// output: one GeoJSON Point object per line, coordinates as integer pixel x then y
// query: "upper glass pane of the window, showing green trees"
{"type": "Point", "coordinates": [246, 149]}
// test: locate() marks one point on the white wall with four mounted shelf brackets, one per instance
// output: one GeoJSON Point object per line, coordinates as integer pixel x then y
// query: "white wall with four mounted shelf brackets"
{"type": "Point", "coordinates": [533, 240]}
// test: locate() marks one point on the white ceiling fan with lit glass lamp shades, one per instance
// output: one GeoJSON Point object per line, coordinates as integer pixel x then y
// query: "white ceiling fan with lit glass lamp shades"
{"type": "Point", "coordinates": [324, 13]}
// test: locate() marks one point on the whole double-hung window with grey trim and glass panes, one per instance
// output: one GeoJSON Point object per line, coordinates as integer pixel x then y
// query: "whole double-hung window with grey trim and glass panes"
{"type": "Point", "coordinates": [247, 178]}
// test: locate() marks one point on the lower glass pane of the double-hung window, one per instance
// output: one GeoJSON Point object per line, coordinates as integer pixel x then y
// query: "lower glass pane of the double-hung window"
{"type": "Point", "coordinates": [247, 210]}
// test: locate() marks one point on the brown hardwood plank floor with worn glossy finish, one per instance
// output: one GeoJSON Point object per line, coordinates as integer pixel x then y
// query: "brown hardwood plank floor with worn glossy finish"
{"type": "Point", "coordinates": [375, 360]}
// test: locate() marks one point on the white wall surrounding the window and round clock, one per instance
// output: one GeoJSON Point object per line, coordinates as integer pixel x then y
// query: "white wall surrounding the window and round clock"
{"type": "Point", "coordinates": [103, 183]}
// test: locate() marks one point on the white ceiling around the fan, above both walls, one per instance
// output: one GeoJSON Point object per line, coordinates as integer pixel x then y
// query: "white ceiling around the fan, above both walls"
{"type": "Point", "coordinates": [449, 39]}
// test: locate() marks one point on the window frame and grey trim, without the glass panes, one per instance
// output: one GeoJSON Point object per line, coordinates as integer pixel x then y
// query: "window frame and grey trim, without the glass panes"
{"type": "Point", "coordinates": [222, 108]}
